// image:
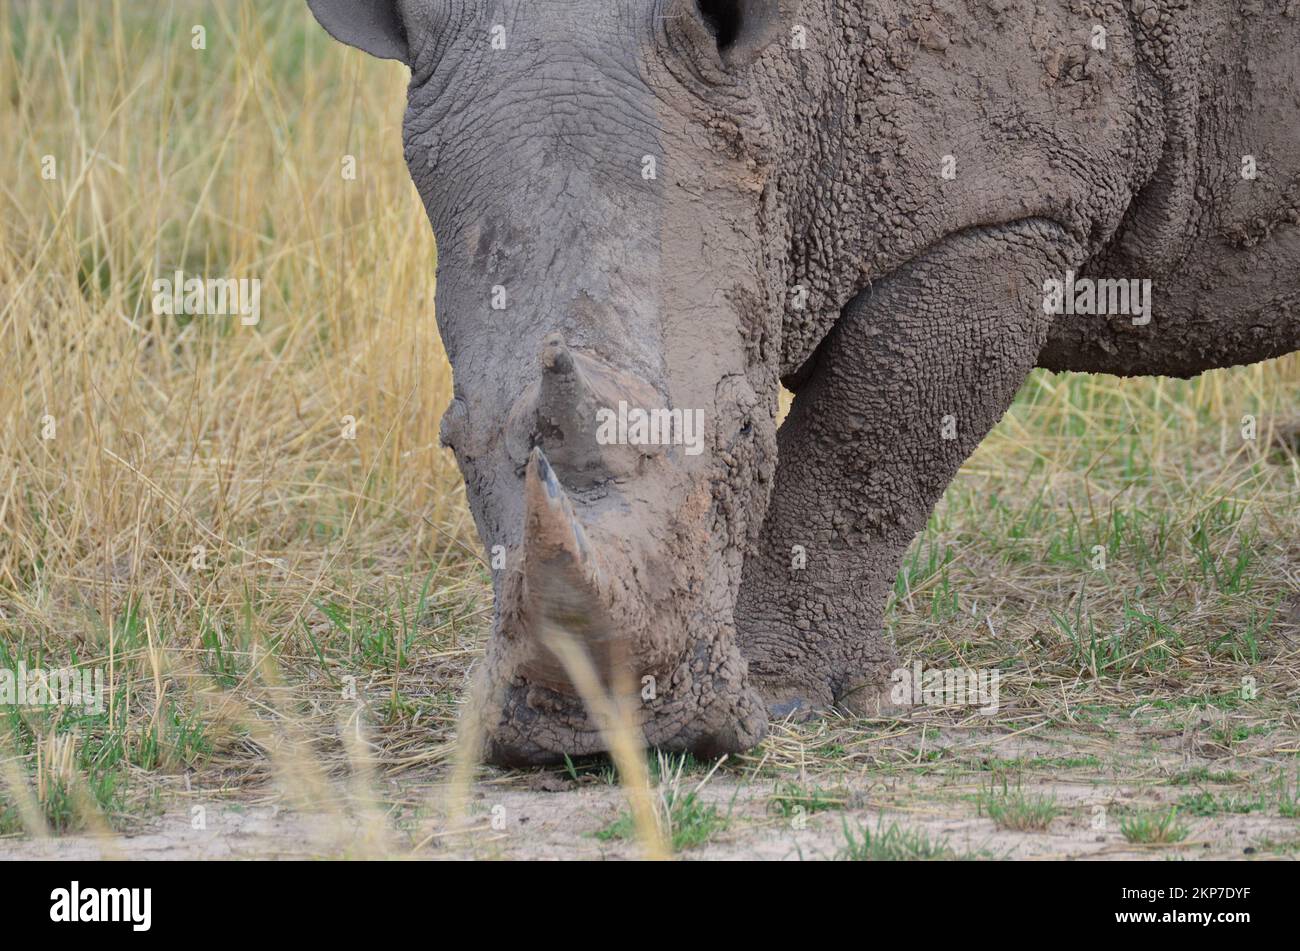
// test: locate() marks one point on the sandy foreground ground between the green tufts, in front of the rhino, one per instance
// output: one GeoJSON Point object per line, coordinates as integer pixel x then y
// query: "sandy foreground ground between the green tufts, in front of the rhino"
{"type": "Point", "coordinates": [551, 817]}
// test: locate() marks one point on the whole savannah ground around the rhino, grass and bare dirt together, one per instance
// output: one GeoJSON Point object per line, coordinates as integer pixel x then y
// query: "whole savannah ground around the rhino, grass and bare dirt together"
{"type": "Point", "coordinates": [287, 611]}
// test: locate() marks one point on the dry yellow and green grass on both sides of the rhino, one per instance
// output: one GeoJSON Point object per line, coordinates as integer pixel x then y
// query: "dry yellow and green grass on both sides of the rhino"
{"type": "Point", "coordinates": [278, 602]}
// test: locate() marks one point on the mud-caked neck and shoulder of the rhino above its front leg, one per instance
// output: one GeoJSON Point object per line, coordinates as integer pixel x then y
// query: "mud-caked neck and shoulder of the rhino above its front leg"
{"type": "Point", "coordinates": [887, 94]}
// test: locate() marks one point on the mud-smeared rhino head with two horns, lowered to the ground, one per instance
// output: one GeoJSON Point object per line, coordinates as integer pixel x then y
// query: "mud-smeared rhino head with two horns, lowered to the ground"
{"type": "Point", "coordinates": [599, 179]}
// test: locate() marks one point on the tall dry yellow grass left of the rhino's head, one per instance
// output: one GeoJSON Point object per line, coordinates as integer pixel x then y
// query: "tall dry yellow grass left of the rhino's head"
{"type": "Point", "coordinates": [197, 472]}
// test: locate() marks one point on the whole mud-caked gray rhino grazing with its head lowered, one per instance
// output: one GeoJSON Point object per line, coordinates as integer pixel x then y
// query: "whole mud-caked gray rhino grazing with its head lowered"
{"type": "Point", "coordinates": [799, 228]}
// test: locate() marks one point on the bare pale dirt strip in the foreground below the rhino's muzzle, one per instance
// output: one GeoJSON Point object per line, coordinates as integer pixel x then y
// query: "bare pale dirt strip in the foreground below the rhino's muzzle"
{"type": "Point", "coordinates": [924, 787]}
